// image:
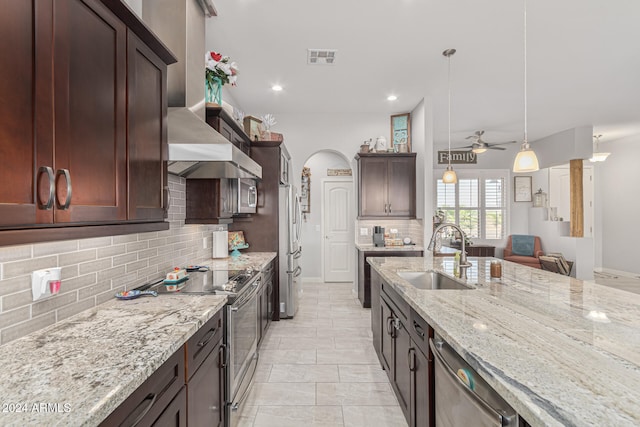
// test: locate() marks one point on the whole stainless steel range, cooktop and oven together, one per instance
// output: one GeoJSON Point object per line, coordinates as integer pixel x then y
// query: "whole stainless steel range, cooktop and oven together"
{"type": "Point", "coordinates": [241, 328]}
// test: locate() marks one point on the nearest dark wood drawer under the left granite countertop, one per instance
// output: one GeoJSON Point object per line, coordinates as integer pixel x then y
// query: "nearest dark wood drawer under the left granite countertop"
{"type": "Point", "coordinates": [151, 399]}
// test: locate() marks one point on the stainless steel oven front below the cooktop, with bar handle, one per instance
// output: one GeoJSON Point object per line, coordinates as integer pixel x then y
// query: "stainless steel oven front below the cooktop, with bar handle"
{"type": "Point", "coordinates": [241, 337]}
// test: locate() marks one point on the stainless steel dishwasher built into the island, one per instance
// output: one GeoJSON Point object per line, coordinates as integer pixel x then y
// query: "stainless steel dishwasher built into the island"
{"type": "Point", "coordinates": [462, 398]}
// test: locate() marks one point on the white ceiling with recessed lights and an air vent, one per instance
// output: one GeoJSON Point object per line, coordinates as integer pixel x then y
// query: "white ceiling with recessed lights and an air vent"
{"type": "Point", "coordinates": [583, 61]}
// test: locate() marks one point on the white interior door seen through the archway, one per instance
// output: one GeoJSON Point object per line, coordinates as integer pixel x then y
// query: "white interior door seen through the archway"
{"type": "Point", "coordinates": [339, 252]}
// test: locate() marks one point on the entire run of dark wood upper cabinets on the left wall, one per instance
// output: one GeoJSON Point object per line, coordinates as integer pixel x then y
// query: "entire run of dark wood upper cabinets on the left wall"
{"type": "Point", "coordinates": [84, 121]}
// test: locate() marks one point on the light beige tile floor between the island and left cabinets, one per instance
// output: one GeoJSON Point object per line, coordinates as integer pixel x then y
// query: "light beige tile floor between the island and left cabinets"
{"type": "Point", "coordinates": [320, 368]}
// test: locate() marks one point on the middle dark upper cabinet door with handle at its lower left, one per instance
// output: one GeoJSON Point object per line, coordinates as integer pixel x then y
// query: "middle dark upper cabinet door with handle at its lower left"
{"type": "Point", "coordinates": [90, 80]}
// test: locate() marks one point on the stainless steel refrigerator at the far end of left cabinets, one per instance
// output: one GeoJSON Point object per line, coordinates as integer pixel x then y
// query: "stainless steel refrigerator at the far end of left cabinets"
{"type": "Point", "coordinates": [290, 226]}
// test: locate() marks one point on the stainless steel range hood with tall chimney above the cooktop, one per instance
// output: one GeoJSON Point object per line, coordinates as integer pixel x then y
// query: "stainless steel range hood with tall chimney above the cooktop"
{"type": "Point", "coordinates": [196, 150]}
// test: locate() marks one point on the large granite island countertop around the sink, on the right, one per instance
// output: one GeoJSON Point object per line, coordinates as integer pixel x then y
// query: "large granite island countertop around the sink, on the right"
{"type": "Point", "coordinates": [561, 351]}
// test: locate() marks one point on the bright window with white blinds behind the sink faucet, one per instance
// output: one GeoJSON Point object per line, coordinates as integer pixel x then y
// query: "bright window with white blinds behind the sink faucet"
{"type": "Point", "coordinates": [477, 204]}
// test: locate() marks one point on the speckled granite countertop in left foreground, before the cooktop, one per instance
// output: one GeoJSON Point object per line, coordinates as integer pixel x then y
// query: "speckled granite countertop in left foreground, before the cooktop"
{"type": "Point", "coordinates": [85, 366]}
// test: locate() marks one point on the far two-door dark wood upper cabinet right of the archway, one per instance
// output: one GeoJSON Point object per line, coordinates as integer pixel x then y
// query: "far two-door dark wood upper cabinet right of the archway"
{"type": "Point", "coordinates": [387, 184]}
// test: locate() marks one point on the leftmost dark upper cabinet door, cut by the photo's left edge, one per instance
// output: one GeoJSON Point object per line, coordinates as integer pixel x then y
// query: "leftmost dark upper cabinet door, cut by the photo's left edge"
{"type": "Point", "coordinates": [23, 24]}
